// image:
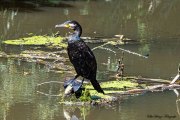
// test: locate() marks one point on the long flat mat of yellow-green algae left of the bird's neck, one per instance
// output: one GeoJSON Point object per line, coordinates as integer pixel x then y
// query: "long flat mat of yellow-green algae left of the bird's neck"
{"type": "Point", "coordinates": [38, 40]}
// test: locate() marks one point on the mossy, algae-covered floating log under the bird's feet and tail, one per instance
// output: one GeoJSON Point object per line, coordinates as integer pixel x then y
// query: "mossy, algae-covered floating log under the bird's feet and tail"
{"type": "Point", "coordinates": [91, 96]}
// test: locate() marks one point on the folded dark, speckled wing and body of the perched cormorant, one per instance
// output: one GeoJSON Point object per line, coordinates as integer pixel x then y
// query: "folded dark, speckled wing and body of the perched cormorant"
{"type": "Point", "coordinates": [83, 59]}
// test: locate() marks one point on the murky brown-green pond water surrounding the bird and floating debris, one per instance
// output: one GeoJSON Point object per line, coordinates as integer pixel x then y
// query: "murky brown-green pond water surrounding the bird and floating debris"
{"type": "Point", "coordinates": [155, 23]}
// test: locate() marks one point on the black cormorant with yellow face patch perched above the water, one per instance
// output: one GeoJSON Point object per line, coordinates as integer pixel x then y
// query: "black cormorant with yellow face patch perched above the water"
{"type": "Point", "coordinates": [81, 55]}
